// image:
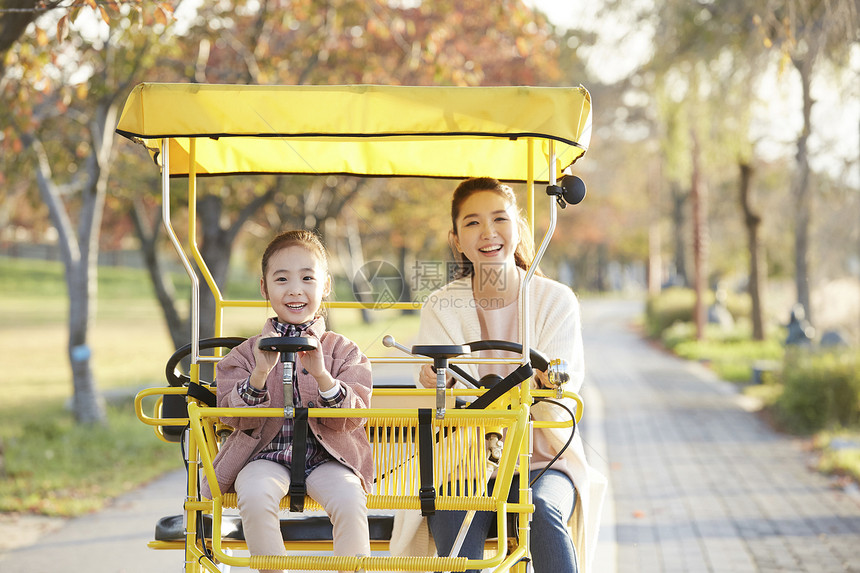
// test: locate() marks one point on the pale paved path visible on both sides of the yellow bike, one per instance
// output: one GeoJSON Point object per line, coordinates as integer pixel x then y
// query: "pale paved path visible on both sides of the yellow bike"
{"type": "Point", "coordinates": [699, 484]}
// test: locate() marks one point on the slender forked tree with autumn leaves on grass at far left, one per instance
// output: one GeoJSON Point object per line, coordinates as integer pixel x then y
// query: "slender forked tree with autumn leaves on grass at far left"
{"type": "Point", "coordinates": [62, 104]}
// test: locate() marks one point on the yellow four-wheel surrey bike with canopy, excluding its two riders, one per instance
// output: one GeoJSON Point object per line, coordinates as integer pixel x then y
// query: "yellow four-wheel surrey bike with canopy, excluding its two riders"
{"type": "Point", "coordinates": [428, 454]}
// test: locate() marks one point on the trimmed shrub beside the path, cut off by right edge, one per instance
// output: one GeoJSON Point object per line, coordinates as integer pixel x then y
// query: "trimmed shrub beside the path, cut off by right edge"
{"type": "Point", "coordinates": [820, 390]}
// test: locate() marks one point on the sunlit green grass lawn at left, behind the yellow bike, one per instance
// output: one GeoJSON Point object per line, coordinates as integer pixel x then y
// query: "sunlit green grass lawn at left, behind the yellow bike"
{"type": "Point", "coordinates": [54, 466]}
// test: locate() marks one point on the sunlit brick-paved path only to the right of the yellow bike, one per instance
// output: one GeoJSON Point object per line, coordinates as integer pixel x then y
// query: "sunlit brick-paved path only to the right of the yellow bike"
{"type": "Point", "coordinates": [700, 484]}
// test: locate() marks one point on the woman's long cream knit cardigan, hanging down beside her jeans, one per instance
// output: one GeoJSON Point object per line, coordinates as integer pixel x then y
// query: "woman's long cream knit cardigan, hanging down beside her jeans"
{"type": "Point", "coordinates": [450, 316]}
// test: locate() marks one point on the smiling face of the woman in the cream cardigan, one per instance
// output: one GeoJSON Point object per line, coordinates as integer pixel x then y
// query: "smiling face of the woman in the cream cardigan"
{"type": "Point", "coordinates": [487, 229]}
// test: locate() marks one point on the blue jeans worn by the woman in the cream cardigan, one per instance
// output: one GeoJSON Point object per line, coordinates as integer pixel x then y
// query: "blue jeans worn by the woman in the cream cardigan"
{"type": "Point", "coordinates": [551, 546]}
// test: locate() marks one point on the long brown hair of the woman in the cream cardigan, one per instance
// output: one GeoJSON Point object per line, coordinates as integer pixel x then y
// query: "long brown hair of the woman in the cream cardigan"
{"type": "Point", "coordinates": [523, 254]}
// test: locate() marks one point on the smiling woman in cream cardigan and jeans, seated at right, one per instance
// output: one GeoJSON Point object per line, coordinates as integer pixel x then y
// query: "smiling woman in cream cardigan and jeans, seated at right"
{"type": "Point", "coordinates": [492, 243]}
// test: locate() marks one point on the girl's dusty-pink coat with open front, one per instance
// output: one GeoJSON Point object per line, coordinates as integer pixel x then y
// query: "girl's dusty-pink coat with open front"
{"type": "Point", "coordinates": [344, 438]}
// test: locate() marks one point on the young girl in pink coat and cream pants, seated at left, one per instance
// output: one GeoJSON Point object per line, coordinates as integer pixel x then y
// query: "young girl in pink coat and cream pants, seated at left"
{"type": "Point", "coordinates": [256, 459]}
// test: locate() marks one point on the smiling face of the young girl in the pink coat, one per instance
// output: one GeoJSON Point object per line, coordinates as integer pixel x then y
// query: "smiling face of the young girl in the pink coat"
{"type": "Point", "coordinates": [295, 284]}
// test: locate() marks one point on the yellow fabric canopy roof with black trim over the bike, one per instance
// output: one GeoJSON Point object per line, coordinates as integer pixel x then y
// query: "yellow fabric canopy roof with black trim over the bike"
{"type": "Point", "coordinates": [361, 129]}
